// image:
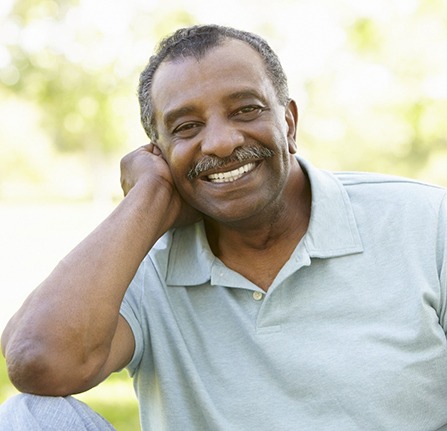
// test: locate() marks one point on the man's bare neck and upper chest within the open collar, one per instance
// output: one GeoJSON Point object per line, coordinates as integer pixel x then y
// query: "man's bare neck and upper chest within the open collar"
{"type": "Point", "coordinates": [258, 247]}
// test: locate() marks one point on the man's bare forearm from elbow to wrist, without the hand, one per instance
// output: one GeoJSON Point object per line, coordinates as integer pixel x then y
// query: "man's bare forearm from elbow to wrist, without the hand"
{"type": "Point", "coordinates": [68, 322]}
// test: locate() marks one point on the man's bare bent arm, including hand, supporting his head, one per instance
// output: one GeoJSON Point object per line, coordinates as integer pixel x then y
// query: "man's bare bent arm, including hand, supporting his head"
{"type": "Point", "coordinates": [68, 335]}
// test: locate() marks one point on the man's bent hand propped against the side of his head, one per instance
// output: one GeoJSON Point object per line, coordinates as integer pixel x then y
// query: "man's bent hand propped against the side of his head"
{"type": "Point", "coordinates": [147, 165]}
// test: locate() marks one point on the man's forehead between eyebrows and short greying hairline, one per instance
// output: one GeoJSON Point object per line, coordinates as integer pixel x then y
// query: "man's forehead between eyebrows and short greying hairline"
{"type": "Point", "coordinates": [228, 68]}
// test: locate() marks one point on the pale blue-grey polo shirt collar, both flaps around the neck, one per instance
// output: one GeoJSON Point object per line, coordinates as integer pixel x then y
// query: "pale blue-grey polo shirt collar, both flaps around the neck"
{"type": "Point", "coordinates": [332, 232]}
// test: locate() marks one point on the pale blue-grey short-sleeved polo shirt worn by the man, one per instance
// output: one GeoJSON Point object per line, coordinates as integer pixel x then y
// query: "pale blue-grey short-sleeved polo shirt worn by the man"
{"type": "Point", "coordinates": [349, 336]}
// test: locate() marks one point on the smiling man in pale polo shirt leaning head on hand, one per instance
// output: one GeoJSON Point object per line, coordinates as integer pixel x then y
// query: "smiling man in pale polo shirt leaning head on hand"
{"type": "Point", "coordinates": [243, 288]}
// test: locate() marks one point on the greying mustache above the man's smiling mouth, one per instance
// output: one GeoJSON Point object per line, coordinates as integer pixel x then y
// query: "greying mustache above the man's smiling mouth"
{"type": "Point", "coordinates": [240, 154]}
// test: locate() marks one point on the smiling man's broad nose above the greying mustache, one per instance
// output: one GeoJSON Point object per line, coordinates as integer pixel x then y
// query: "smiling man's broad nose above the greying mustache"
{"type": "Point", "coordinates": [221, 138]}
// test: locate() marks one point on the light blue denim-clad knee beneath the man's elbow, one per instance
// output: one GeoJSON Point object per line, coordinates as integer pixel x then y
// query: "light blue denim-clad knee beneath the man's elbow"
{"type": "Point", "coordinates": [26, 412]}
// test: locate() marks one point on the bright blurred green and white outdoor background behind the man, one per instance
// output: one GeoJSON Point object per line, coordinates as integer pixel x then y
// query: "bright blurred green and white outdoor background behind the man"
{"type": "Point", "coordinates": [369, 77]}
